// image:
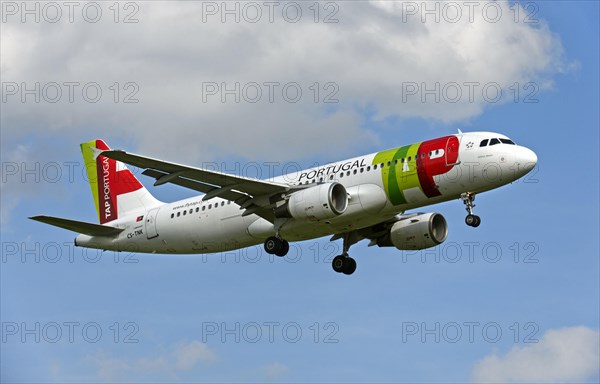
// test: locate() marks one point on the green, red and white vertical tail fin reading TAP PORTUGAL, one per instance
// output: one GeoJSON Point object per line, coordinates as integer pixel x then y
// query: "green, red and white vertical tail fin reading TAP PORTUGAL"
{"type": "Point", "coordinates": [115, 189]}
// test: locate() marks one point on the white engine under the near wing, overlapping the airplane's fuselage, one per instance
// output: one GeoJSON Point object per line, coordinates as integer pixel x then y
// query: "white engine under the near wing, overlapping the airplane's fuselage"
{"type": "Point", "coordinates": [323, 201]}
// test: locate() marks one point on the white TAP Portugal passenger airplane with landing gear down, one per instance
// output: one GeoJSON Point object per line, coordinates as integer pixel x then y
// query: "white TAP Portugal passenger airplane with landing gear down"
{"type": "Point", "coordinates": [363, 198]}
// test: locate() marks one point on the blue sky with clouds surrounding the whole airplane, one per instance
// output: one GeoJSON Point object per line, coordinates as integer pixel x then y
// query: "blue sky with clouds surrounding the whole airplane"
{"type": "Point", "coordinates": [530, 271]}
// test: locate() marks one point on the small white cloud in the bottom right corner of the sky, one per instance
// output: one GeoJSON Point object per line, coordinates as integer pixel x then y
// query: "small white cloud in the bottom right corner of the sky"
{"type": "Point", "coordinates": [561, 355]}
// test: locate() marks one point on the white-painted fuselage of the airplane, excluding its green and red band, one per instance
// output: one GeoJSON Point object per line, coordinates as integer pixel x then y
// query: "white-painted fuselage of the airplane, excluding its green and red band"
{"type": "Point", "coordinates": [196, 226]}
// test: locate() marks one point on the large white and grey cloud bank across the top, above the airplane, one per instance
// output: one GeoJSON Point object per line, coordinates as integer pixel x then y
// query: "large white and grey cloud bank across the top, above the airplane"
{"type": "Point", "coordinates": [371, 54]}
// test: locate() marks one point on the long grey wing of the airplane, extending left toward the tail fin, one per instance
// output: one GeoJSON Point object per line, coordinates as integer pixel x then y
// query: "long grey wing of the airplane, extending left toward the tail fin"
{"type": "Point", "coordinates": [252, 195]}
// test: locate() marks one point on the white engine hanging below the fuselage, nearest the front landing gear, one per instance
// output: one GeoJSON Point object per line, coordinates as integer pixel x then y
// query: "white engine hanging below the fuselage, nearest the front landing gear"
{"type": "Point", "coordinates": [419, 232]}
